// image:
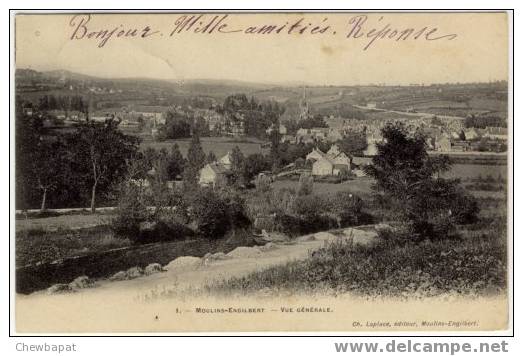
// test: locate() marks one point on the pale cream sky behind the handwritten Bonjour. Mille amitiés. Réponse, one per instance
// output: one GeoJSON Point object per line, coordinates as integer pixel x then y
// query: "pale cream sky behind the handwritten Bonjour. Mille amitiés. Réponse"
{"type": "Point", "coordinates": [474, 48]}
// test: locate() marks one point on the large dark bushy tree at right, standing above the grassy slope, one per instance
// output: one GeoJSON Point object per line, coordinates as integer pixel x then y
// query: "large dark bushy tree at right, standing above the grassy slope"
{"type": "Point", "coordinates": [410, 180]}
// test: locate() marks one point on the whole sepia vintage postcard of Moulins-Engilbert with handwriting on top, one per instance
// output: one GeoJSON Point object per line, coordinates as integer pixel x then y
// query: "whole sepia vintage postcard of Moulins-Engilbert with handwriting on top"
{"type": "Point", "coordinates": [262, 172]}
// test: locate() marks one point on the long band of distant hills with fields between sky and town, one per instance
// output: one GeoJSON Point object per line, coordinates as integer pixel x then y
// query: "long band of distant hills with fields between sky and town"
{"type": "Point", "coordinates": [103, 93]}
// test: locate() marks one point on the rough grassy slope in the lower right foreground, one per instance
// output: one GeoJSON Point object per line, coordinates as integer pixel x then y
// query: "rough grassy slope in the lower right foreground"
{"type": "Point", "coordinates": [470, 267]}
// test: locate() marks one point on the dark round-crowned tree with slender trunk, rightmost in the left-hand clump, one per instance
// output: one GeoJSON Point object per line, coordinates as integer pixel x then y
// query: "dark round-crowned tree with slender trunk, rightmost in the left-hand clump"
{"type": "Point", "coordinates": [100, 152]}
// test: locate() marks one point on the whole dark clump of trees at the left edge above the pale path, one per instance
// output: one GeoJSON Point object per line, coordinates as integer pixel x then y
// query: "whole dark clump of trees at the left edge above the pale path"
{"type": "Point", "coordinates": [57, 169]}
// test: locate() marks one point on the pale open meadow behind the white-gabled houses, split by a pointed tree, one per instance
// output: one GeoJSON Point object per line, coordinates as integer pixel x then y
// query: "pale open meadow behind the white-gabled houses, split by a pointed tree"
{"type": "Point", "coordinates": [219, 145]}
